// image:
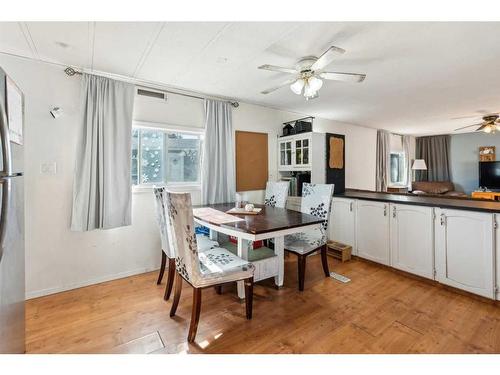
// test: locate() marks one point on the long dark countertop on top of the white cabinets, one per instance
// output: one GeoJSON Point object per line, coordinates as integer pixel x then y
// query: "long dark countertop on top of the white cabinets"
{"type": "Point", "coordinates": [419, 200]}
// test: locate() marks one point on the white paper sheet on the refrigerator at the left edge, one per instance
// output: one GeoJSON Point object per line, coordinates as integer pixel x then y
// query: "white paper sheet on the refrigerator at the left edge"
{"type": "Point", "coordinates": [15, 111]}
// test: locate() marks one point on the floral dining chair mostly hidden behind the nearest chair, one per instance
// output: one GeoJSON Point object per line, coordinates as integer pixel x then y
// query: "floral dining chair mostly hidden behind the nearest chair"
{"type": "Point", "coordinates": [204, 243]}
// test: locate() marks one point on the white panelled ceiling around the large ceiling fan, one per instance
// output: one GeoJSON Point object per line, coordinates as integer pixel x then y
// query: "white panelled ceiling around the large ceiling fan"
{"type": "Point", "coordinates": [420, 76]}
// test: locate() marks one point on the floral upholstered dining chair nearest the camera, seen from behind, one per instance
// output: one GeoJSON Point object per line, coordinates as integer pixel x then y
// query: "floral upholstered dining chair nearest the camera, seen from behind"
{"type": "Point", "coordinates": [200, 270]}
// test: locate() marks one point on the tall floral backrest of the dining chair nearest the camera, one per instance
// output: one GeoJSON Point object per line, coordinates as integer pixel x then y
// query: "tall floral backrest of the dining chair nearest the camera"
{"type": "Point", "coordinates": [180, 228]}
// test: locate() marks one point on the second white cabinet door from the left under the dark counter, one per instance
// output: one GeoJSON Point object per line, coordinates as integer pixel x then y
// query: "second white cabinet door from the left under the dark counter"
{"type": "Point", "coordinates": [372, 231]}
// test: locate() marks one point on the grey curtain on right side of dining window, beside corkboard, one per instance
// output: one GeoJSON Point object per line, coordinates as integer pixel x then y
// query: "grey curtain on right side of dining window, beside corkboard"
{"type": "Point", "coordinates": [218, 175]}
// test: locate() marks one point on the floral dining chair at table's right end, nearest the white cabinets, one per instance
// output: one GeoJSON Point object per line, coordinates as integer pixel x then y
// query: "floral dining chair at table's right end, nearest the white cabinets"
{"type": "Point", "coordinates": [316, 201]}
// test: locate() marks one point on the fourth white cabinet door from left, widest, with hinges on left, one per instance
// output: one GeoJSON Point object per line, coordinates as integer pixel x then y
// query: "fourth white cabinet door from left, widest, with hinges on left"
{"type": "Point", "coordinates": [465, 251]}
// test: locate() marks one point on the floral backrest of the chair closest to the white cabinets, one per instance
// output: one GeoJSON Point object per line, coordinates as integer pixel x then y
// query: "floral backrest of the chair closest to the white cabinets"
{"type": "Point", "coordinates": [317, 200]}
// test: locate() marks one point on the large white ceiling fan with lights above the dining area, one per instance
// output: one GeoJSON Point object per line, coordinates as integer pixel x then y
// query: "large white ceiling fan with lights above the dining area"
{"type": "Point", "coordinates": [308, 74]}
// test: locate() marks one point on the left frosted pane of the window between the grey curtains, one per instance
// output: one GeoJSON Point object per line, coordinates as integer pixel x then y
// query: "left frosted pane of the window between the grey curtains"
{"type": "Point", "coordinates": [152, 154]}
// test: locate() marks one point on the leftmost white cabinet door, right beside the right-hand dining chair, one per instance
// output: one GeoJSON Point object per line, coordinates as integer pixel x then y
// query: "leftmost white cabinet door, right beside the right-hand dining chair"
{"type": "Point", "coordinates": [343, 222]}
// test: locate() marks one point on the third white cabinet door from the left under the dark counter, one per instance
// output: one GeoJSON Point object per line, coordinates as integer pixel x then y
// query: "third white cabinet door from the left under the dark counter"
{"type": "Point", "coordinates": [412, 239]}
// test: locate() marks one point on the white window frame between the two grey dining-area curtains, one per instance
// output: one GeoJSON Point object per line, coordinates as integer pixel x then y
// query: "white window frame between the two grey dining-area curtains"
{"type": "Point", "coordinates": [170, 128]}
